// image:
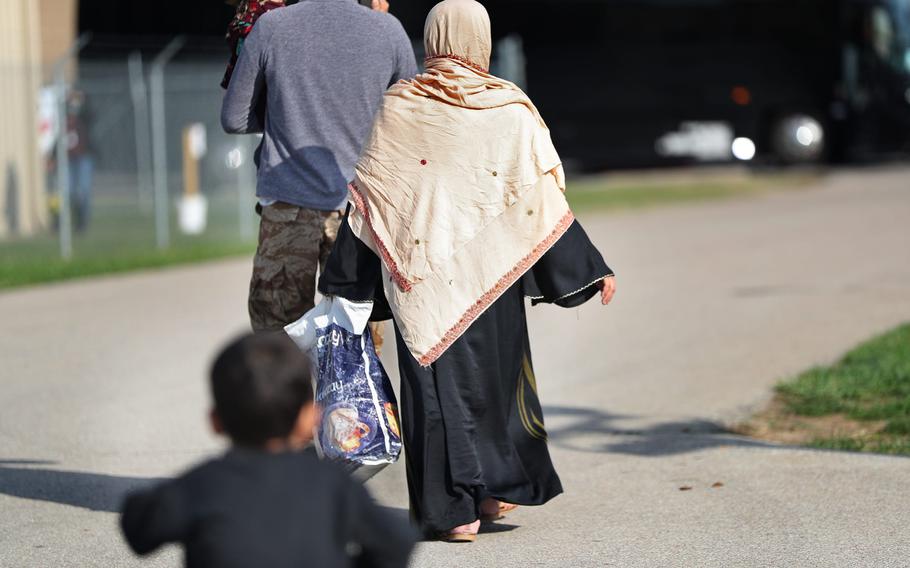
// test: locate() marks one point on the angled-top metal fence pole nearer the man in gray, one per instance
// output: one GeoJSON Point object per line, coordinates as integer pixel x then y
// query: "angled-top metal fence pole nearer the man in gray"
{"type": "Point", "coordinates": [159, 141]}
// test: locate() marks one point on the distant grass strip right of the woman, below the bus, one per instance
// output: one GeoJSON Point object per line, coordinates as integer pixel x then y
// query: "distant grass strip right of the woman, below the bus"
{"type": "Point", "coordinates": [605, 194]}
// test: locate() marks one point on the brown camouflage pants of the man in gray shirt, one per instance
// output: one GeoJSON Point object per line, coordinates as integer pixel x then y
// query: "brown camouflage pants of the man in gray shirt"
{"type": "Point", "coordinates": [294, 243]}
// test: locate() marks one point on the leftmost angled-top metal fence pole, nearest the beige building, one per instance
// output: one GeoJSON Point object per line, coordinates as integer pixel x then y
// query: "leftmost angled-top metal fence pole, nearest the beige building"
{"type": "Point", "coordinates": [65, 223]}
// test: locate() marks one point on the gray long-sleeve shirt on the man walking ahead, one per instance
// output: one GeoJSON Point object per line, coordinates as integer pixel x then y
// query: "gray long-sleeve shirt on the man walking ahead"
{"type": "Point", "coordinates": [321, 66]}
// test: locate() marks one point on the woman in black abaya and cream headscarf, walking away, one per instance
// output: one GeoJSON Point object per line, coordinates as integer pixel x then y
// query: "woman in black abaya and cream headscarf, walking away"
{"type": "Point", "coordinates": [458, 216]}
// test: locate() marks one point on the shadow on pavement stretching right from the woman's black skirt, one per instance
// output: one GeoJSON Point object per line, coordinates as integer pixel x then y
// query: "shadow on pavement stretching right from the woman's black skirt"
{"type": "Point", "coordinates": [590, 430]}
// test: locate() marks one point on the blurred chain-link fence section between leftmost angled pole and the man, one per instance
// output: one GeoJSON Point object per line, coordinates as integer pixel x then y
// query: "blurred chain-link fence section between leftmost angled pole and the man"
{"type": "Point", "coordinates": [153, 138]}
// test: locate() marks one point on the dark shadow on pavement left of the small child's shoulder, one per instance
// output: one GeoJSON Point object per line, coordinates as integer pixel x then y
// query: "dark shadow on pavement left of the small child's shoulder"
{"type": "Point", "coordinates": [93, 491]}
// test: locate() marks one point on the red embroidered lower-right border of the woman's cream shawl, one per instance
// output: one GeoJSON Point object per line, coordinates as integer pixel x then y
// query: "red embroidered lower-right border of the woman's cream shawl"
{"type": "Point", "coordinates": [496, 291]}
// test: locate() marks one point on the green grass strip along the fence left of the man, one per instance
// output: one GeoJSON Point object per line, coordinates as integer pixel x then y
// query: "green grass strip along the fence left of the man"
{"type": "Point", "coordinates": [121, 238]}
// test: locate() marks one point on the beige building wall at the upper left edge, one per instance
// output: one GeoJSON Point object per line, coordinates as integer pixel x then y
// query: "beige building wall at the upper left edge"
{"type": "Point", "coordinates": [32, 34]}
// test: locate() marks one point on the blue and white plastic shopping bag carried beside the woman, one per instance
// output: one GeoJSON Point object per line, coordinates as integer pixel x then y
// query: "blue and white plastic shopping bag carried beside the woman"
{"type": "Point", "coordinates": [359, 425]}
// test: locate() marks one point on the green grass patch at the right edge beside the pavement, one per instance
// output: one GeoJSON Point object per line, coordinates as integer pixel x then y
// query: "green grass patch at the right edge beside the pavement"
{"type": "Point", "coordinates": [871, 383]}
